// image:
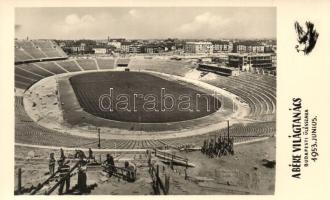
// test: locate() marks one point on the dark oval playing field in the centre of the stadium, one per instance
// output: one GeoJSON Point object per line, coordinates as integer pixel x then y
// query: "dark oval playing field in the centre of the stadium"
{"type": "Point", "coordinates": [133, 93]}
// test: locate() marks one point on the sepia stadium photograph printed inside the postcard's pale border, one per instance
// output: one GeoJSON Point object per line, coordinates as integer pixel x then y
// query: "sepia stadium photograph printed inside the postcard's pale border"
{"type": "Point", "coordinates": [145, 100]}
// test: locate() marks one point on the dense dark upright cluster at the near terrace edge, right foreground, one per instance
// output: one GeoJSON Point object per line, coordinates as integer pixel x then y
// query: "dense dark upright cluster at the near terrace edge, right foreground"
{"type": "Point", "coordinates": [218, 147]}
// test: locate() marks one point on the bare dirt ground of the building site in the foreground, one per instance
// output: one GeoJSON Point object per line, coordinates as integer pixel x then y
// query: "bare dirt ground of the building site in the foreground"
{"type": "Point", "coordinates": [246, 172]}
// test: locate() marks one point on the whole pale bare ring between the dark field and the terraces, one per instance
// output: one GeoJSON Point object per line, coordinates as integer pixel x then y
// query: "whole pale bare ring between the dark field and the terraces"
{"type": "Point", "coordinates": [67, 116]}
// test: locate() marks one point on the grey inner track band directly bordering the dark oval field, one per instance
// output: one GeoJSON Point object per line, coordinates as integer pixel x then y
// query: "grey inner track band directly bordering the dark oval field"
{"type": "Point", "coordinates": [75, 115]}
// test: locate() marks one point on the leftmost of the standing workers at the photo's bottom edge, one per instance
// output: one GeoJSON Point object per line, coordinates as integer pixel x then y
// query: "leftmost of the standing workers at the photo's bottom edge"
{"type": "Point", "coordinates": [64, 174]}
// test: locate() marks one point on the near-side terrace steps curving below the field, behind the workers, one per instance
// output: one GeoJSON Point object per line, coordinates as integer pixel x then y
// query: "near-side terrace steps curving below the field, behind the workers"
{"type": "Point", "coordinates": [27, 131]}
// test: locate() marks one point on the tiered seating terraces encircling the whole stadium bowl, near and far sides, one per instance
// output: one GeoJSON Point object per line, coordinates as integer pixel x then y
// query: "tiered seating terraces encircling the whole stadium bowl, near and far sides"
{"type": "Point", "coordinates": [259, 91]}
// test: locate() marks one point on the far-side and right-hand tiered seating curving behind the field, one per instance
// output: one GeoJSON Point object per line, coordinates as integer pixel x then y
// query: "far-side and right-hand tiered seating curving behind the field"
{"type": "Point", "coordinates": [259, 91]}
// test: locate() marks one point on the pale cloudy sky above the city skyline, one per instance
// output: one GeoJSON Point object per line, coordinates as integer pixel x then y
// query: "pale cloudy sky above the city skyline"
{"type": "Point", "coordinates": [145, 23]}
